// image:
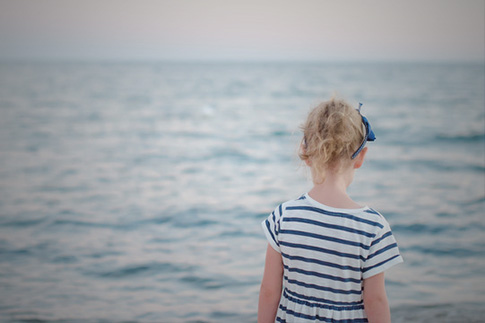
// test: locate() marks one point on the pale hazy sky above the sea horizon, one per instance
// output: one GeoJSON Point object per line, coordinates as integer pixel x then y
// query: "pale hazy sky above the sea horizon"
{"type": "Point", "coordinates": [243, 30]}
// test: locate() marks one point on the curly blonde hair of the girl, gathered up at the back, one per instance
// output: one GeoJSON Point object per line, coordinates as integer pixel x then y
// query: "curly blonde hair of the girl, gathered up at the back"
{"type": "Point", "coordinates": [332, 132]}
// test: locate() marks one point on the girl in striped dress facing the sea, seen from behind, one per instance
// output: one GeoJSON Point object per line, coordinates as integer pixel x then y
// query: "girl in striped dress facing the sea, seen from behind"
{"type": "Point", "coordinates": [326, 255]}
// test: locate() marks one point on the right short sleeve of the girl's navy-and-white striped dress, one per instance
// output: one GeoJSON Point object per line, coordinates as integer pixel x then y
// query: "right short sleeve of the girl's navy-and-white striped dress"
{"type": "Point", "coordinates": [383, 253]}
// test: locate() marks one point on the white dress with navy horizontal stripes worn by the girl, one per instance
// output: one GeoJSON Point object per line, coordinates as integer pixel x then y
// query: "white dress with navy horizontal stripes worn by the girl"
{"type": "Point", "coordinates": [327, 252]}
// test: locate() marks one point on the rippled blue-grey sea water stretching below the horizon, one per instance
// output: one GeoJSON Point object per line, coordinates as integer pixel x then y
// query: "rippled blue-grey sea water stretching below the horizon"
{"type": "Point", "coordinates": [135, 191]}
